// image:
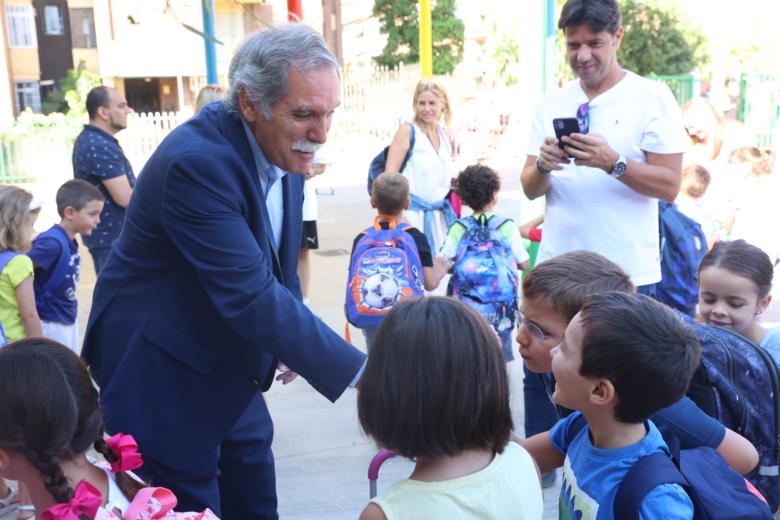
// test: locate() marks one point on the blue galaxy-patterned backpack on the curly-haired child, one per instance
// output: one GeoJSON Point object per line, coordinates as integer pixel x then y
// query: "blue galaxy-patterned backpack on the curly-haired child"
{"type": "Point", "coordinates": [485, 268]}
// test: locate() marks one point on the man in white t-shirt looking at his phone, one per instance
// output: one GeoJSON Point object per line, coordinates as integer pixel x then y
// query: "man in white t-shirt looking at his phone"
{"type": "Point", "coordinates": [628, 155]}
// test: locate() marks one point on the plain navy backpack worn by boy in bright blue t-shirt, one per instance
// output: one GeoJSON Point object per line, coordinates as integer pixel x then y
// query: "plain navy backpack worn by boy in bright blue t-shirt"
{"type": "Point", "coordinates": [716, 491]}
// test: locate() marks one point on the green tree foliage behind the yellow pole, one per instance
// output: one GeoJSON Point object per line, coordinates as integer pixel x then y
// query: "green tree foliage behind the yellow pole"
{"type": "Point", "coordinates": [399, 20]}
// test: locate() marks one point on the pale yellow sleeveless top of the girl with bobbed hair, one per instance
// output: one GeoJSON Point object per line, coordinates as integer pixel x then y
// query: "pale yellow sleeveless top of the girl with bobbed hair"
{"type": "Point", "coordinates": [508, 488]}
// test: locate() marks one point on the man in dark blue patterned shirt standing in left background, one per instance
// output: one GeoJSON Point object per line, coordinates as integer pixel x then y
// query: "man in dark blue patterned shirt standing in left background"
{"type": "Point", "coordinates": [99, 160]}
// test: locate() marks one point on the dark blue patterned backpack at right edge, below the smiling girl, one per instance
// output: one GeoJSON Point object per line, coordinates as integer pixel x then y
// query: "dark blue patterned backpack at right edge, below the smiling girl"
{"type": "Point", "coordinates": [738, 384]}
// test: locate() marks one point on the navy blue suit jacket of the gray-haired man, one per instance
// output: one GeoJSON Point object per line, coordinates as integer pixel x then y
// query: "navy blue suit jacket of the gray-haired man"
{"type": "Point", "coordinates": [194, 306]}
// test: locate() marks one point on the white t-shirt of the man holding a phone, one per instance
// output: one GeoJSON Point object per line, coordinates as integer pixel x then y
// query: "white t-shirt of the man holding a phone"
{"type": "Point", "coordinates": [586, 208]}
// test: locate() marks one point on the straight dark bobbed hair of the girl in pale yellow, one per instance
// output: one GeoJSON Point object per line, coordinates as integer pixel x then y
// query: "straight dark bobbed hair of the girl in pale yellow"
{"type": "Point", "coordinates": [435, 382]}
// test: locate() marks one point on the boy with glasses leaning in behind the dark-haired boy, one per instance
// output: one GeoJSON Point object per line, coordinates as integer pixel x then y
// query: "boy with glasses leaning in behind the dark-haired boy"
{"type": "Point", "coordinates": [553, 293]}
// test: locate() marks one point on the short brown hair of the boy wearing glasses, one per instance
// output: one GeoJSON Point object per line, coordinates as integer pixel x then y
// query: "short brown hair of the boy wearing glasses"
{"type": "Point", "coordinates": [565, 282]}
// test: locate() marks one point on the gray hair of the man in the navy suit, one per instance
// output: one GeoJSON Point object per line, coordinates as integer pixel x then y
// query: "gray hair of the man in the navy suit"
{"type": "Point", "coordinates": [262, 62]}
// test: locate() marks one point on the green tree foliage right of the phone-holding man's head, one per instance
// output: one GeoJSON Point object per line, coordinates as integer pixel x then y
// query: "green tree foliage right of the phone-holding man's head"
{"type": "Point", "coordinates": [658, 40]}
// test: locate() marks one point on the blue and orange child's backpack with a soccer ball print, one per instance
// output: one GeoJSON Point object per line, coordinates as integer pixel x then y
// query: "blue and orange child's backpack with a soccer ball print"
{"type": "Point", "coordinates": [385, 268]}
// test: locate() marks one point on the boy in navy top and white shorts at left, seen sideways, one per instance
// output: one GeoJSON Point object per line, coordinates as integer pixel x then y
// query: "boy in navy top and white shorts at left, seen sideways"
{"type": "Point", "coordinates": [55, 255]}
